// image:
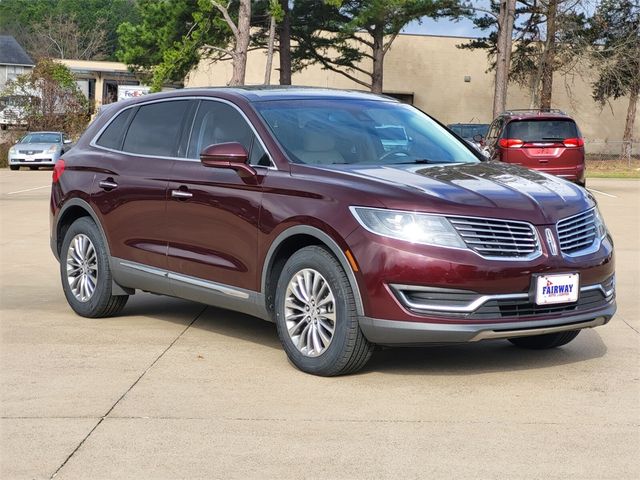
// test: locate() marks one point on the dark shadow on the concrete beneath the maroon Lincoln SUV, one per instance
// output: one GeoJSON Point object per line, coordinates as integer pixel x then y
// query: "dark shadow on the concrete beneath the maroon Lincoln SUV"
{"type": "Point", "coordinates": [461, 359]}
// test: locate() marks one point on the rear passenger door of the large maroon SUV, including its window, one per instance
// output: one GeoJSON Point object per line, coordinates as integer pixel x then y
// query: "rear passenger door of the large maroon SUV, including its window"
{"type": "Point", "coordinates": [130, 187]}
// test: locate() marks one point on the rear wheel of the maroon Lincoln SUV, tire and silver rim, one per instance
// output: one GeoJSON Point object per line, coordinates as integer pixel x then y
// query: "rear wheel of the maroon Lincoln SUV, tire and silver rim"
{"type": "Point", "coordinates": [85, 273]}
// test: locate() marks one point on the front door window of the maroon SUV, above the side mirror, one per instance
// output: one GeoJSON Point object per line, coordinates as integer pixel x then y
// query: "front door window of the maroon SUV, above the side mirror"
{"type": "Point", "coordinates": [217, 122]}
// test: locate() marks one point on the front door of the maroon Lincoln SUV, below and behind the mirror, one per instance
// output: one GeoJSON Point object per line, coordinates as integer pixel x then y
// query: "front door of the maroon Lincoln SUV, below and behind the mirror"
{"type": "Point", "coordinates": [213, 213]}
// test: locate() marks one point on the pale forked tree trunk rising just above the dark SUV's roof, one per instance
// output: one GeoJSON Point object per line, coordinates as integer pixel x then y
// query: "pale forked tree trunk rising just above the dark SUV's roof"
{"type": "Point", "coordinates": [241, 37]}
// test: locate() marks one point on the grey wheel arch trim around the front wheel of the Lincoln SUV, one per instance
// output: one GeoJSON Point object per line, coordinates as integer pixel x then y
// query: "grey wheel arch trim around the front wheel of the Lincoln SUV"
{"type": "Point", "coordinates": [292, 240]}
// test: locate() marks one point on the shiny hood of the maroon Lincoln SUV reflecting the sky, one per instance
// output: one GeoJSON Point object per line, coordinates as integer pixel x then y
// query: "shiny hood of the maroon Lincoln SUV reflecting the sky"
{"type": "Point", "coordinates": [482, 189]}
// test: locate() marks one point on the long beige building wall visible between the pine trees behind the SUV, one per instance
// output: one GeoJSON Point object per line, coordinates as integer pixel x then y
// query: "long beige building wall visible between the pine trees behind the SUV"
{"type": "Point", "coordinates": [449, 83]}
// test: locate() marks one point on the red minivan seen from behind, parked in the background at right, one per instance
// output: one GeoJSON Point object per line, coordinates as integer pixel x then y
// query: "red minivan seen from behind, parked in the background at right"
{"type": "Point", "coordinates": [544, 140]}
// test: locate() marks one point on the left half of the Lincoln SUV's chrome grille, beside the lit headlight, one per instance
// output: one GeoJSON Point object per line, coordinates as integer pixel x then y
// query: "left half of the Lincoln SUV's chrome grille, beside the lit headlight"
{"type": "Point", "coordinates": [497, 238]}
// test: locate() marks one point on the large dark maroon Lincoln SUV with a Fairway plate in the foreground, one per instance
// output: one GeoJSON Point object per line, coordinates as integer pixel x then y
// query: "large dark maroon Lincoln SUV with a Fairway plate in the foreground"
{"type": "Point", "coordinates": [346, 218]}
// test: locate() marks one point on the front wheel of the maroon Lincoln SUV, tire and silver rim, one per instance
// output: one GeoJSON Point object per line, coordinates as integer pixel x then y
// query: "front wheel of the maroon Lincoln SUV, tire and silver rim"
{"type": "Point", "coordinates": [316, 315]}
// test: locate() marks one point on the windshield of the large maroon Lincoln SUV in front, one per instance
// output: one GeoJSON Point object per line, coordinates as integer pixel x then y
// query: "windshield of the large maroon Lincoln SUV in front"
{"type": "Point", "coordinates": [328, 132]}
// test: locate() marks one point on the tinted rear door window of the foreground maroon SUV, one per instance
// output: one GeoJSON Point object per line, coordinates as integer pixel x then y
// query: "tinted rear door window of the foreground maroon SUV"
{"type": "Point", "coordinates": [155, 130]}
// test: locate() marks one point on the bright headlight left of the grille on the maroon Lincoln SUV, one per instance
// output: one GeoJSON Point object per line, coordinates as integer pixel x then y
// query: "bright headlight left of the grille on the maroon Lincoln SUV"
{"type": "Point", "coordinates": [408, 226]}
